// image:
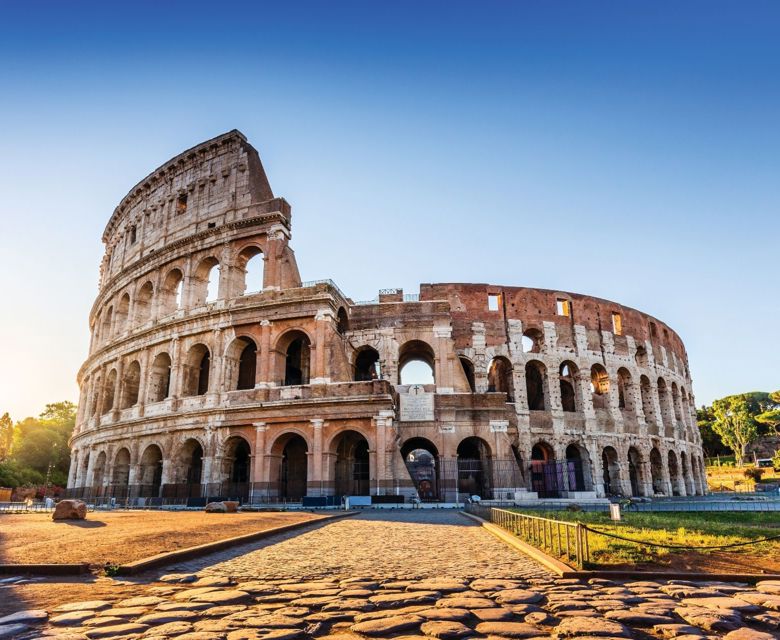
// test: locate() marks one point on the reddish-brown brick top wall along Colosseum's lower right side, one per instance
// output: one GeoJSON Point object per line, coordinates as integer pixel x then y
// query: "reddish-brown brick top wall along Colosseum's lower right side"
{"type": "Point", "coordinates": [469, 303]}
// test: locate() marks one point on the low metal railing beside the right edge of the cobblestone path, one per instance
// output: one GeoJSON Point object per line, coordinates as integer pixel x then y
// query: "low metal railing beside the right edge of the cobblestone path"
{"type": "Point", "coordinates": [565, 540]}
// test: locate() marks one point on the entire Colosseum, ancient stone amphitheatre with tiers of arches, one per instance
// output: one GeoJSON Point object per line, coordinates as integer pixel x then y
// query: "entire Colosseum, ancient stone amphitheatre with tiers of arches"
{"type": "Point", "coordinates": [213, 370]}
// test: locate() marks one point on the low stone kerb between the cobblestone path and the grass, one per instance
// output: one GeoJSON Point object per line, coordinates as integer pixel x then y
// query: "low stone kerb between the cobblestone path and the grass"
{"type": "Point", "coordinates": [565, 571]}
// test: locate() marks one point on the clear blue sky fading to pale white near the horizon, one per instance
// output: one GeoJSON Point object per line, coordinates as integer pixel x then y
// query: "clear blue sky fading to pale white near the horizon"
{"type": "Point", "coordinates": [628, 150]}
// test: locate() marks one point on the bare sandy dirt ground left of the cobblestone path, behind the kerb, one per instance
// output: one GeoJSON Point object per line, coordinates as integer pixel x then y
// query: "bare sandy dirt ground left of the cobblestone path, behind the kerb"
{"type": "Point", "coordinates": [123, 536]}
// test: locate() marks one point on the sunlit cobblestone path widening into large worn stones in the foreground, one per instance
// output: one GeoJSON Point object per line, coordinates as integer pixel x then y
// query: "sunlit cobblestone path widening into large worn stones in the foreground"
{"type": "Point", "coordinates": [404, 575]}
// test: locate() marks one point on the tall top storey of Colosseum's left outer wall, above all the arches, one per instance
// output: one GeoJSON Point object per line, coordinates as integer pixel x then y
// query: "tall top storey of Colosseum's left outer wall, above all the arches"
{"type": "Point", "coordinates": [203, 187]}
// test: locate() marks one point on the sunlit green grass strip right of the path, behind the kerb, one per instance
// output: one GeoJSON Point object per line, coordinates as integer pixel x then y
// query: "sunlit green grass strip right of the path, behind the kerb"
{"type": "Point", "coordinates": [690, 529]}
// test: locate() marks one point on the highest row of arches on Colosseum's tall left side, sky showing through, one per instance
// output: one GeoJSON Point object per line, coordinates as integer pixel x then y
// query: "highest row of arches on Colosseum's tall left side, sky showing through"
{"type": "Point", "coordinates": [146, 300]}
